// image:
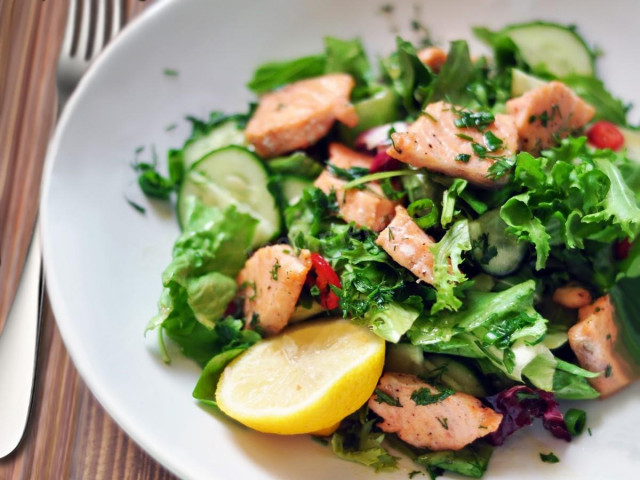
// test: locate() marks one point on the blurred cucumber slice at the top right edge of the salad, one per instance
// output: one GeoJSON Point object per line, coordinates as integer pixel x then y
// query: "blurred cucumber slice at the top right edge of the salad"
{"type": "Point", "coordinates": [553, 48]}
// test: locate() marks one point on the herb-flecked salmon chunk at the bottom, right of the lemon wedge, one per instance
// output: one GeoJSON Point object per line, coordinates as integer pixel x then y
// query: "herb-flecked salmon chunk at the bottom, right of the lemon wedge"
{"type": "Point", "coordinates": [446, 424]}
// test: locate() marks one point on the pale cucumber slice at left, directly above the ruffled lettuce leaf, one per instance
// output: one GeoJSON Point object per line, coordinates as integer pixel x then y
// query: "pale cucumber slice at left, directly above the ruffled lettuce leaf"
{"type": "Point", "coordinates": [233, 176]}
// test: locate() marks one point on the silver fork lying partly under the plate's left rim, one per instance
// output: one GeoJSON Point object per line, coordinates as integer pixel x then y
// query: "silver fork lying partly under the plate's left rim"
{"type": "Point", "coordinates": [91, 24]}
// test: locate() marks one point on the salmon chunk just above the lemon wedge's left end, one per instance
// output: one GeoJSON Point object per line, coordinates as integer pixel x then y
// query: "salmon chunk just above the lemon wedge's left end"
{"type": "Point", "coordinates": [271, 282]}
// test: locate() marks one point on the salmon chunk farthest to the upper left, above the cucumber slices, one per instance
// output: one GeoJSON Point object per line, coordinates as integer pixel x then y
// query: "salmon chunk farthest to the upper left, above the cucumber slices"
{"type": "Point", "coordinates": [300, 114]}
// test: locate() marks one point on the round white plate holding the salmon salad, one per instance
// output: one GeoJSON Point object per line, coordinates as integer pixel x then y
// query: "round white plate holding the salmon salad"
{"type": "Point", "coordinates": [103, 259]}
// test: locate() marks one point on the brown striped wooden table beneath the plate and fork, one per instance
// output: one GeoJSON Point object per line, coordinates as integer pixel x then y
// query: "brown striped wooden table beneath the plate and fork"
{"type": "Point", "coordinates": [69, 435]}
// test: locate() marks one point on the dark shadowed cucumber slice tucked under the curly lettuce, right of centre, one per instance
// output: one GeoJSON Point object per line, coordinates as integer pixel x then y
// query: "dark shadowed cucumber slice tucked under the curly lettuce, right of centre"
{"type": "Point", "coordinates": [496, 253]}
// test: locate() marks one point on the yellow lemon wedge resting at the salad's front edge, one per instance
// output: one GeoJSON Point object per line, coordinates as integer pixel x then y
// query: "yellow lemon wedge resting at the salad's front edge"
{"type": "Point", "coordinates": [304, 380]}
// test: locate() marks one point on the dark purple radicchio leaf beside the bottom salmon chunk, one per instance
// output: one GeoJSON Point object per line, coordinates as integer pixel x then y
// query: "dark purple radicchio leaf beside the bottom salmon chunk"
{"type": "Point", "coordinates": [520, 405]}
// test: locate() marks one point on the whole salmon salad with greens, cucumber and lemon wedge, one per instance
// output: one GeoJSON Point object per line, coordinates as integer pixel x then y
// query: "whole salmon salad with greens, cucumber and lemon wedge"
{"type": "Point", "coordinates": [416, 259]}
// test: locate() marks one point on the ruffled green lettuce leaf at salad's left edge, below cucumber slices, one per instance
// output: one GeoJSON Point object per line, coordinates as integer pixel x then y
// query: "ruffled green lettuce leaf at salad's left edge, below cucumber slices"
{"type": "Point", "coordinates": [199, 282]}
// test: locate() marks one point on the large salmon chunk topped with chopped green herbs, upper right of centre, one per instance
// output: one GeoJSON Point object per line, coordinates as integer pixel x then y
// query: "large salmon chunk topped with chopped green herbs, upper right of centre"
{"type": "Point", "coordinates": [435, 143]}
